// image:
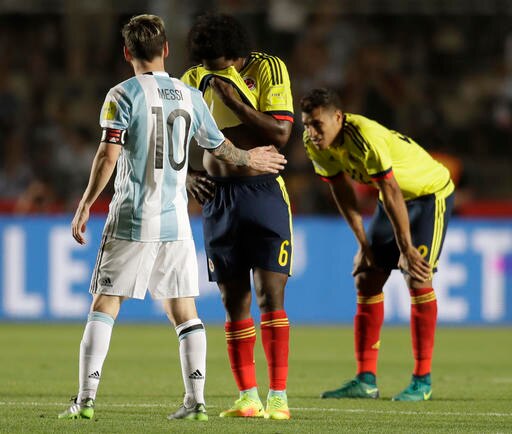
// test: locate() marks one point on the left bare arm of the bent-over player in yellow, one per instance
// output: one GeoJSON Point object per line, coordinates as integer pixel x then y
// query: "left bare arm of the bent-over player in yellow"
{"type": "Point", "coordinates": [346, 201]}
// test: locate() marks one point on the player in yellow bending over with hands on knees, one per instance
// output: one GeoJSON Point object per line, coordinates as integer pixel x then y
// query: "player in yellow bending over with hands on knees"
{"type": "Point", "coordinates": [407, 231]}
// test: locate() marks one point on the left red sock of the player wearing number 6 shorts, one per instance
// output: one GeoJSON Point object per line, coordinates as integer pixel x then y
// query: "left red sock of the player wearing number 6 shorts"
{"type": "Point", "coordinates": [241, 337]}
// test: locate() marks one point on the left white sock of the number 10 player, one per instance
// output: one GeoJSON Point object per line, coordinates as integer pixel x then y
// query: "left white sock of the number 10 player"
{"type": "Point", "coordinates": [93, 350]}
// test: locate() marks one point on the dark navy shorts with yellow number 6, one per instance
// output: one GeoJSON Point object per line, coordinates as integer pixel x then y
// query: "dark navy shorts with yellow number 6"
{"type": "Point", "coordinates": [246, 225]}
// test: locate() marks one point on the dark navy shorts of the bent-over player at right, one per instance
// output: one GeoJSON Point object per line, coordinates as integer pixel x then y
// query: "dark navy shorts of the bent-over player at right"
{"type": "Point", "coordinates": [428, 219]}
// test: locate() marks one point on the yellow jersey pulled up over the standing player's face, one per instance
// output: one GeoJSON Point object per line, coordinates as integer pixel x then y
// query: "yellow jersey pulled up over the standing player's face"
{"type": "Point", "coordinates": [263, 84]}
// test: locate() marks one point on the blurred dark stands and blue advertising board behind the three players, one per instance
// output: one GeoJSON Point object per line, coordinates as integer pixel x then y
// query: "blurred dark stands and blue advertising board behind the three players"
{"type": "Point", "coordinates": [438, 71]}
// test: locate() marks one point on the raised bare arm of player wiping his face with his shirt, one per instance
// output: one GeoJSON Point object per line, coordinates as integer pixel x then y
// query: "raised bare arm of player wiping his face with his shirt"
{"type": "Point", "coordinates": [277, 132]}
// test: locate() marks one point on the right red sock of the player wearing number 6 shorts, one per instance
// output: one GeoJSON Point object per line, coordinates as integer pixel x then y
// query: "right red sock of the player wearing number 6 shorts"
{"type": "Point", "coordinates": [275, 334]}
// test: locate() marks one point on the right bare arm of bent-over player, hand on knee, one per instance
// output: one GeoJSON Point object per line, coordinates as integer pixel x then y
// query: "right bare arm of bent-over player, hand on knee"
{"type": "Point", "coordinates": [411, 262]}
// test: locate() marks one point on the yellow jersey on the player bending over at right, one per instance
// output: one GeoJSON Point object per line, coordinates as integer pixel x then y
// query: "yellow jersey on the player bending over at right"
{"type": "Point", "coordinates": [370, 152]}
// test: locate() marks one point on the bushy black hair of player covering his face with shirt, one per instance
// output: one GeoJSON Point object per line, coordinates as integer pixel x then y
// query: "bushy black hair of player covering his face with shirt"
{"type": "Point", "coordinates": [217, 35]}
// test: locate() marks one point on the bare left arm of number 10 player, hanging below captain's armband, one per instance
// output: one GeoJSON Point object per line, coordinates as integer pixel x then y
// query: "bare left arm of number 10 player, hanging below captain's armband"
{"type": "Point", "coordinates": [102, 168]}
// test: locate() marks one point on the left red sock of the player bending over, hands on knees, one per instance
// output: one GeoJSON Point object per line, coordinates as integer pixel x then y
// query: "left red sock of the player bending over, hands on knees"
{"type": "Point", "coordinates": [367, 324]}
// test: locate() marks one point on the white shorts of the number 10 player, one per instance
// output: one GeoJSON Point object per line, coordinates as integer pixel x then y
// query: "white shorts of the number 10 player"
{"type": "Point", "coordinates": [168, 269]}
